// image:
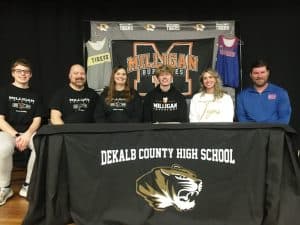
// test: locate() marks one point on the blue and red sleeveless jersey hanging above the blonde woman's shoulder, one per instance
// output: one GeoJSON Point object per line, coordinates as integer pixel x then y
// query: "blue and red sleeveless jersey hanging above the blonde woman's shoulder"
{"type": "Point", "coordinates": [227, 63]}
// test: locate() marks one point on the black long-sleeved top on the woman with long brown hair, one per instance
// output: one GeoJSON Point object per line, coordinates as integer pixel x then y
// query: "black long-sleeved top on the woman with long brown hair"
{"type": "Point", "coordinates": [119, 110]}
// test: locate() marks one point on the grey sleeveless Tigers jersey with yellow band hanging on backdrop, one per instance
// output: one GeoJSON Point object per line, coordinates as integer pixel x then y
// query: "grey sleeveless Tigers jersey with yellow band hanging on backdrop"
{"type": "Point", "coordinates": [99, 64]}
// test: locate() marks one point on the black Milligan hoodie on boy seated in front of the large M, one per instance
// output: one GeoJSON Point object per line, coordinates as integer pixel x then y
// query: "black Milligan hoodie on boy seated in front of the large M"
{"type": "Point", "coordinates": [167, 106]}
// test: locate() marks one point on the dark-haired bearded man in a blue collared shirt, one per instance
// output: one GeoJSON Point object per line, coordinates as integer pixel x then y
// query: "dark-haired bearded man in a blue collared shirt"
{"type": "Point", "coordinates": [264, 102]}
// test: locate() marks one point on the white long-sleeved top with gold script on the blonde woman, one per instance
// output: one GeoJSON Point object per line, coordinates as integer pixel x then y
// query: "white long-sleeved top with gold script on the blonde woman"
{"type": "Point", "coordinates": [204, 108]}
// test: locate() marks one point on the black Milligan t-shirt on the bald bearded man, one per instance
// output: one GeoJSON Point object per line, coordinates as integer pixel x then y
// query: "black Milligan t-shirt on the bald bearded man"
{"type": "Point", "coordinates": [75, 106]}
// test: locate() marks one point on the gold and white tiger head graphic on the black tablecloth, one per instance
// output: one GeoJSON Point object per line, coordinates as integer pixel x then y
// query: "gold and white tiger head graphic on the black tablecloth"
{"type": "Point", "coordinates": [175, 186]}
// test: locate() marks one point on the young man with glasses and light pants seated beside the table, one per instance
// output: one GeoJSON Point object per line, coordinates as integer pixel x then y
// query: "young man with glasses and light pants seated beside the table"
{"type": "Point", "coordinates": [20, 117]}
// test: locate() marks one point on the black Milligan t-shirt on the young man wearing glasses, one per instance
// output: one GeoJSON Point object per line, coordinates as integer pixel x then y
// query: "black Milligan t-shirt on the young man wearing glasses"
{"type": "Point", "coordinates": [20, 106]}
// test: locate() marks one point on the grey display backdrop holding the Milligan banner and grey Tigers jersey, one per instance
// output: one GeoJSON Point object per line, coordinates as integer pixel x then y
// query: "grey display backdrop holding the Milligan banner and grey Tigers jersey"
{"type": "Point", "coordinates": [188, 47]}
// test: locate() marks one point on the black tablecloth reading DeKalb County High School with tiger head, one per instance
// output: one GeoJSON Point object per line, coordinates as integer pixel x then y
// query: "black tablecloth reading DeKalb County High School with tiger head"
{"type": "Point", "coordinates": [164, 174]}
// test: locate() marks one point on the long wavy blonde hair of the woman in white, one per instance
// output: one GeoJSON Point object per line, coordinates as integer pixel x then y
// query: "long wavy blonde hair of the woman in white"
{"type": "Point", "coordinates": [218, 88]}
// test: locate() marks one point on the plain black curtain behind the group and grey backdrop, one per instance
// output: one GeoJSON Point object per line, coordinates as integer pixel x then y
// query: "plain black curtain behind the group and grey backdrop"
{"type": "Point", "coordinates": [51, 36]}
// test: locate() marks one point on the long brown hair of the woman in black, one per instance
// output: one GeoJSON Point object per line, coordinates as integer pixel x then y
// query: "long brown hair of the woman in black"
{"type": "Point", "coordinates": [112, 90]}
